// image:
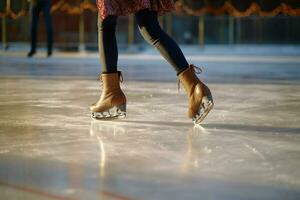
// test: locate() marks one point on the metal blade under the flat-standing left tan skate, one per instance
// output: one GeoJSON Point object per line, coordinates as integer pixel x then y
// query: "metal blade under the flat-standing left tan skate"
{"type": "Point", "coordinates": [116, 112]}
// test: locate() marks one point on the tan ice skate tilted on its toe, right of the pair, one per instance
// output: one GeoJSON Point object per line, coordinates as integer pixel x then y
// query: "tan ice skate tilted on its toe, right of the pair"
{"type": "Point", "coordinates": [199, 96]}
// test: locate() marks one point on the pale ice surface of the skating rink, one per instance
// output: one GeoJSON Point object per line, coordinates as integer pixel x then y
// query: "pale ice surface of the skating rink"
{"type": "Point", "coordinates": [247, 148]}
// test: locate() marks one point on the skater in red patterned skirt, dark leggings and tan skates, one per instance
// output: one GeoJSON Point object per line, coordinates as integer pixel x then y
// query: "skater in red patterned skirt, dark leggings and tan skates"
{"type": "Point", "coordinates": [112, 103]}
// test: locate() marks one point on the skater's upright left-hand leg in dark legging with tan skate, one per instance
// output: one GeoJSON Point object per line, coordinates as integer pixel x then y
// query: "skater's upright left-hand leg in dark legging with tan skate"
{"type": "Point", "coordinates": [112, 103]}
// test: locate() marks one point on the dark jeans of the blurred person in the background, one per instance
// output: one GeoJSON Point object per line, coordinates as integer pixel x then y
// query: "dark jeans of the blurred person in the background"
{"type": "Point", "coordinates": [43, 6]}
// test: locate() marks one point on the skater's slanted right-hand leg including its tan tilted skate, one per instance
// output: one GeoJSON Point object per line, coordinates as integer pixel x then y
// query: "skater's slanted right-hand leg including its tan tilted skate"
{"type": "Point", "coordinates": [199, 95]}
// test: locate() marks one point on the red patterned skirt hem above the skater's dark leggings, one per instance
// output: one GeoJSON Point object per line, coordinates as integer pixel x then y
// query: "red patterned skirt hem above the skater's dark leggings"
{"type": "Point", "coordinates": [126, 7]}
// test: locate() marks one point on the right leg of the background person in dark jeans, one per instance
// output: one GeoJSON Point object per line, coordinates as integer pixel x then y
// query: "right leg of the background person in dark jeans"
{"type": "Point", "coordinates": [48, 23]}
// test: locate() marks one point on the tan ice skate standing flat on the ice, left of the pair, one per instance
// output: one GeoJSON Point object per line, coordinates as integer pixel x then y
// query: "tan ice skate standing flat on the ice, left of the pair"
{"type": "Point", "coordinates": [112, 103]}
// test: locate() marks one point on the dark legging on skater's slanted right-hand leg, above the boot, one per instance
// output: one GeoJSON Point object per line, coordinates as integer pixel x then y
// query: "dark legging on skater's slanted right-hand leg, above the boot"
{"type": "Point", "coordinates": [152, 32]}
